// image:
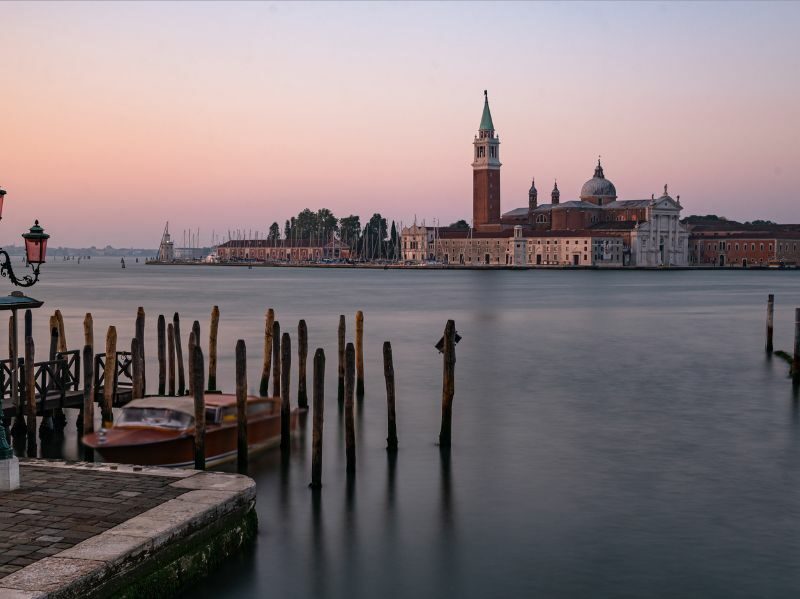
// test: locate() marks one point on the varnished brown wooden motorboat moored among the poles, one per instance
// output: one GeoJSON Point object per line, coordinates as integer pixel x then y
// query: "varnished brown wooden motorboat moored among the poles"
{"type": "Point", "coordinates": [160, 430]}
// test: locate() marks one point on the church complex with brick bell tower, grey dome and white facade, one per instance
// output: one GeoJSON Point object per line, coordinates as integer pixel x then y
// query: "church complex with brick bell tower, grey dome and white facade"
{"type": "Point", "coordinates": [597, 229]}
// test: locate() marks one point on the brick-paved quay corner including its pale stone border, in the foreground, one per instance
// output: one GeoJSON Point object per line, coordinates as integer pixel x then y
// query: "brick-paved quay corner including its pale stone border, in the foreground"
{"type": "Point", "coordinates": [81, 530]}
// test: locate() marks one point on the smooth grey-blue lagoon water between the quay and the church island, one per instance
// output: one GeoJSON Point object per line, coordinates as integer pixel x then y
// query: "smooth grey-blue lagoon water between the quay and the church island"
{"type": "Point", "coordinates": [615, 433]}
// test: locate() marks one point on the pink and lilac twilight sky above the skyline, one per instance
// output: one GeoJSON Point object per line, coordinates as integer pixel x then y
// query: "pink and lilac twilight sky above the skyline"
{"type": "Point", "coordinates": [117, 117]}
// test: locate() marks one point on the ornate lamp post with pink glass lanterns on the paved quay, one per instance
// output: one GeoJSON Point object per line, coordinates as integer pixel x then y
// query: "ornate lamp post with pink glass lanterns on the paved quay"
{"type": "Point", "coordinates": [35, 252]}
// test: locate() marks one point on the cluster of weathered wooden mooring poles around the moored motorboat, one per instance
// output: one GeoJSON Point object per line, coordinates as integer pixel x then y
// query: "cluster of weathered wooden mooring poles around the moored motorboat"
{"type": "Point", "coordinates": [102, 374]}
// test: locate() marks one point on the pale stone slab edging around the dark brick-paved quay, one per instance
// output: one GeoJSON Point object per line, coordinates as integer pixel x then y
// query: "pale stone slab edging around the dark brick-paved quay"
{"type": "Point", "coordinates": [157, 553]}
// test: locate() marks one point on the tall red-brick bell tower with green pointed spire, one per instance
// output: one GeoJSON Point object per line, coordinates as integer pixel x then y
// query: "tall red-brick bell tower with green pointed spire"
{"type": "Point", "coordinates": [486, 172]}
